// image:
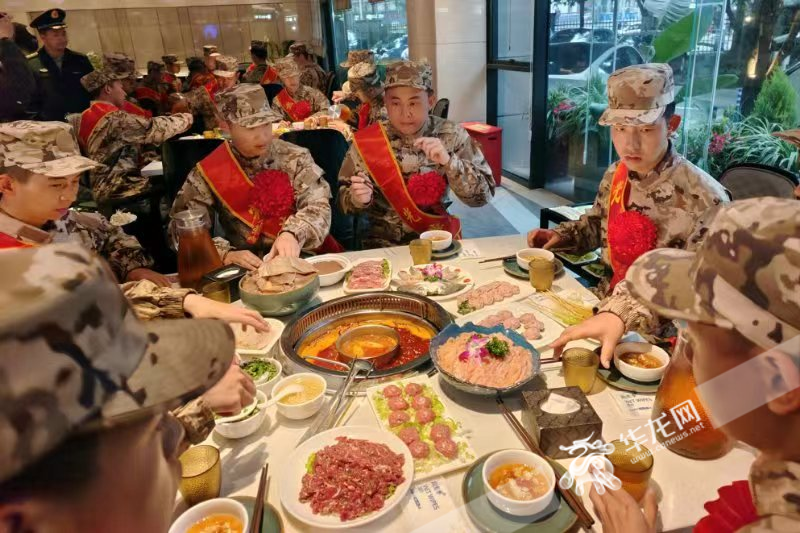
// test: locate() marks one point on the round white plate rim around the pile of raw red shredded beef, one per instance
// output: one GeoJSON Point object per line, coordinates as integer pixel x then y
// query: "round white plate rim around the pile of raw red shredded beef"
{"type": "Point", "coordinates": [292, 475]}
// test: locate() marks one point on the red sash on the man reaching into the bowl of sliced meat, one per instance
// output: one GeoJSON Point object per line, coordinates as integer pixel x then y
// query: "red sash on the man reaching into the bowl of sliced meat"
{"type": "Point", "coordinates": [232, 186]}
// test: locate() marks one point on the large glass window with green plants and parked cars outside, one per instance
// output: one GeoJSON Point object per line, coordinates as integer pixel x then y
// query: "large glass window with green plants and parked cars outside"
{"type": "Point", "coordinates": [737, 78]}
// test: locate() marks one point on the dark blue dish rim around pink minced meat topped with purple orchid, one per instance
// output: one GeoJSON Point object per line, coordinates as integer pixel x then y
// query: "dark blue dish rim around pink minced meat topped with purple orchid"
{"type": "Point", "coordinates": [454, 330]}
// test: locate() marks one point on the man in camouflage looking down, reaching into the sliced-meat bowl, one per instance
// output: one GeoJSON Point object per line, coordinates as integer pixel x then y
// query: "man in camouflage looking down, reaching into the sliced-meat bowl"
{"type": "Point", "coordinates": [249, 120]}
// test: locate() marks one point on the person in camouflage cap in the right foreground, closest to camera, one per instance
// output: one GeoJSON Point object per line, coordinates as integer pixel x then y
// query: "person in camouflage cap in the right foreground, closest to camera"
{"type": "Point", "coordinates": [738, 295]}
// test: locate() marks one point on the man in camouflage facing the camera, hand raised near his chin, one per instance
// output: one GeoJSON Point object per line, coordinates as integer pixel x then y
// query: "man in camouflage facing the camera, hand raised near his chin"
{"type": "Point", "coordinates": [421, 143]}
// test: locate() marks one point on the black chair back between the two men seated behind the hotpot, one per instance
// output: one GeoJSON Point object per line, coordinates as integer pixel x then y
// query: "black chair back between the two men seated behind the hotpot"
{"type": "Point", "coordinates": [328, 148]}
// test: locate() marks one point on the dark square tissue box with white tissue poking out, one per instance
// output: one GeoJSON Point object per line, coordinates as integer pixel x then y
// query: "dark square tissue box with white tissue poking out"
{"type": "Point", "coordinates": [559, 417]}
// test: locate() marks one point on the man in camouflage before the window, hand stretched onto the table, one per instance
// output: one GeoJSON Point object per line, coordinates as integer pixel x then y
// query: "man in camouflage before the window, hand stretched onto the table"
{"type": "Point", "coordinates": [679, 198]}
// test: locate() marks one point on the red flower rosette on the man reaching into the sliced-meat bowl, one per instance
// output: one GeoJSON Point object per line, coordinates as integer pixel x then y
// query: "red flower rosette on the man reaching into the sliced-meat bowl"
{"type": "Point", "coordinates": [272, 197]}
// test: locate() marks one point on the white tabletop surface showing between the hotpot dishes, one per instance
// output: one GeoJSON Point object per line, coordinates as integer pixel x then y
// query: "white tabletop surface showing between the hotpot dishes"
{"type": "Point", "coordinates": [683, 485]}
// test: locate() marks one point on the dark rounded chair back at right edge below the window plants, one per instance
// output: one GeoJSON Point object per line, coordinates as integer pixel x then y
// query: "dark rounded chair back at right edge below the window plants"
{"type": "Point", "coordinates": [753, 180]}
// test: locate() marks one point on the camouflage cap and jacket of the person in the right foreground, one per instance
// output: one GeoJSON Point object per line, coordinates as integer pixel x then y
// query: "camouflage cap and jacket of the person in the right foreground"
{"type": "Point", "coordinates": [743, 278]}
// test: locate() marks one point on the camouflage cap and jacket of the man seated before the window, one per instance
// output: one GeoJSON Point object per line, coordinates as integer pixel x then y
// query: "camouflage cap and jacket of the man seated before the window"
{"type": "Point", "coordinates": [677, 196]}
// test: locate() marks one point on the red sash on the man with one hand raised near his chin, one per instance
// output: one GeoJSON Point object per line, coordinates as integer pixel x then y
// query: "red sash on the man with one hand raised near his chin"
{"type": "Point", "coordinates": [376, 152]}
